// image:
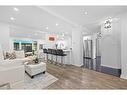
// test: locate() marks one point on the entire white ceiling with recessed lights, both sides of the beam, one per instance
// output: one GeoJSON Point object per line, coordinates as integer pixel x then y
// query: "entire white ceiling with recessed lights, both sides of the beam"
{"type": "Point", "coordinates": [39, 17]}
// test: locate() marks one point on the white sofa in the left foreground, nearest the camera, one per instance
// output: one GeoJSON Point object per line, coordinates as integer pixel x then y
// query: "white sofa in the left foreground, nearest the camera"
{"type": "Point", "coordinates": [11, 74]}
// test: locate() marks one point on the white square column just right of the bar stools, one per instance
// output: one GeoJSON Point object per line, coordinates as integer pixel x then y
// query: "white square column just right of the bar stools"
{"type": "Point", "coordinates": [77, 47]}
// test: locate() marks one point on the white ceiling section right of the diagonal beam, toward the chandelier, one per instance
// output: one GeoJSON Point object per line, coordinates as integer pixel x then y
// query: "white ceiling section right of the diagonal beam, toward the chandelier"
{"type": "Point", "coordinates": [94, 13]}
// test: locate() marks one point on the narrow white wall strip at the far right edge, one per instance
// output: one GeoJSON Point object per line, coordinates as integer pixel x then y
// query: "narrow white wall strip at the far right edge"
{"type": "Point", "coordinates": [124, 46]}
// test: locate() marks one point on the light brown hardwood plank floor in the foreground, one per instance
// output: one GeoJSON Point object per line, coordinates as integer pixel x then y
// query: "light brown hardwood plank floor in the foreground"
{"type": "Point", "coordinates": [72, 77]}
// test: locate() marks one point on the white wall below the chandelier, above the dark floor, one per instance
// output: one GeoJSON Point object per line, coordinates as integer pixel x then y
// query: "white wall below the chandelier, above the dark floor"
{"type": "Point", "coordinates": [110, 47]}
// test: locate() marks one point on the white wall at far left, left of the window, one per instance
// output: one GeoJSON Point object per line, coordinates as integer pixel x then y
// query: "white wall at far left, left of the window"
{"type": "Point", "coordinates": [4, 37]}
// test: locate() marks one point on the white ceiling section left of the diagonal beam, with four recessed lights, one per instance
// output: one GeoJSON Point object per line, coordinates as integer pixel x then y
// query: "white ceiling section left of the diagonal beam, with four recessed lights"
{"type": "Point", "coordinates": [34, 18]}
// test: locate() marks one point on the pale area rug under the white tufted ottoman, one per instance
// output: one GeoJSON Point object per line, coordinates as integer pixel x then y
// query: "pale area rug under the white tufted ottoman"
{"type": "Point", "coordinates": [40, 81]}
